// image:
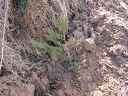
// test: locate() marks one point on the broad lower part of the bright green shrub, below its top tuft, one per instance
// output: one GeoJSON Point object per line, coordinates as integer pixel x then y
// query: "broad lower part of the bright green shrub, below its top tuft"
{"type": "Point", "coordinates": [53, 46]}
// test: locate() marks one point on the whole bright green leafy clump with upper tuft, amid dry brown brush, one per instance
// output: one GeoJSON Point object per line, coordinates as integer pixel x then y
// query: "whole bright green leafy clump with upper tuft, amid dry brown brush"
{"type": "Point", "coordinates": [53, 45]}
